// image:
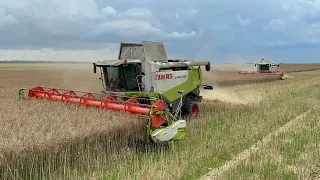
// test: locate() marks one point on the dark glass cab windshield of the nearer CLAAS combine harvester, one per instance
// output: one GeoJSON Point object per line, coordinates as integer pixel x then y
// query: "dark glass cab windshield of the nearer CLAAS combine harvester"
{"type": "Point", "coordinates": [121, 78]}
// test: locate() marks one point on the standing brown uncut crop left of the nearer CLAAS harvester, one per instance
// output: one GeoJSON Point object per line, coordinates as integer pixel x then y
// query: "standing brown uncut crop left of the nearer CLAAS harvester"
{"type": "Point", "coordinates": [30, 127]}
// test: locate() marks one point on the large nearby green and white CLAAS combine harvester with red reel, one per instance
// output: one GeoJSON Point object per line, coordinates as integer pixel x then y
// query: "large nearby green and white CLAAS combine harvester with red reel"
{"type": "Point", "coordinates": [143, 81]}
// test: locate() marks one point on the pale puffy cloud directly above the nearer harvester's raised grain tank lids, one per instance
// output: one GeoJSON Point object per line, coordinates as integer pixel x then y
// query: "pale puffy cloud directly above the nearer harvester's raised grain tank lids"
{"type": "Point", "coordinates": [138, 23]}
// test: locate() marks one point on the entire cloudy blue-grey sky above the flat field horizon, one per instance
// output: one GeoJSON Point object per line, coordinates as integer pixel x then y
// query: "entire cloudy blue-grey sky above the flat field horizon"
{"type": "Point", "coordinates": [221, 31]}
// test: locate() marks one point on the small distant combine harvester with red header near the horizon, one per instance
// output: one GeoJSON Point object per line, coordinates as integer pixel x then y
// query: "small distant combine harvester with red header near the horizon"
{"type": "Point", "coordinates": [266, 67]}
